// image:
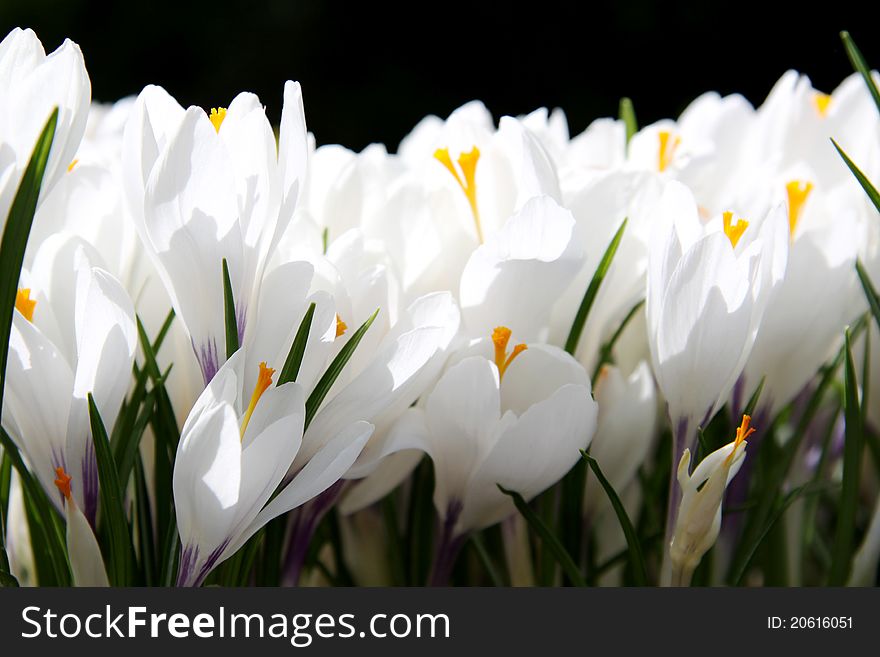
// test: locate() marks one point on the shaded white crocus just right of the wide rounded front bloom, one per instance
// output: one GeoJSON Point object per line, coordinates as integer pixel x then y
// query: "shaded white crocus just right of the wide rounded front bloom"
{"type": "Point", "coordinates": [625, 430]}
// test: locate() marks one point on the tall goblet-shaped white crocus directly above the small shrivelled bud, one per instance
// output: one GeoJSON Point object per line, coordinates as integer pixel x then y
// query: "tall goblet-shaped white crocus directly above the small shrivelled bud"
{"type": "Point", "coordinates": [706, 294]}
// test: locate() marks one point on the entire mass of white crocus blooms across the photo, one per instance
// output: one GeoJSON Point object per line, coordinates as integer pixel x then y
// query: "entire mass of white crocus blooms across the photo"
{"type": "Point", "coordinates": [471, 249]}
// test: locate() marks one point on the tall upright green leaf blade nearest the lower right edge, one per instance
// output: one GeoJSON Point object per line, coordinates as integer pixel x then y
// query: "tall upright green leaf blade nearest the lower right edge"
{"type": "Point", "coordinates": [844, 537]}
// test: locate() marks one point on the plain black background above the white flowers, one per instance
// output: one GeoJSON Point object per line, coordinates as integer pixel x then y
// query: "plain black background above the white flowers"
{"type": "Point", "coordinates": [371, 70]}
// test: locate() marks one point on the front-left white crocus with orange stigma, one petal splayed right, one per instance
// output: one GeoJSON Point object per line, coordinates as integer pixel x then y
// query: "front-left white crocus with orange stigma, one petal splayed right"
{"type": "Point", "coordinates": [232, 457]}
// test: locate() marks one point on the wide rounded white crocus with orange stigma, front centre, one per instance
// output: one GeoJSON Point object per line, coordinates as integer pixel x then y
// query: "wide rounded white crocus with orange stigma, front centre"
{"type": "Point", "coordinates": [516, 417]}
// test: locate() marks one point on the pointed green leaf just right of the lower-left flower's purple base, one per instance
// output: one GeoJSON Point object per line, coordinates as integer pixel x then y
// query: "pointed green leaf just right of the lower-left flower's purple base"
{"type": "Point", "coordinates": [121, 553]}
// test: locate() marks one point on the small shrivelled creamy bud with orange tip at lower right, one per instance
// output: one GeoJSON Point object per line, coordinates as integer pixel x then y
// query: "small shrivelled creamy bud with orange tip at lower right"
{"type": "Point", "coordinates": [699, 514]}
